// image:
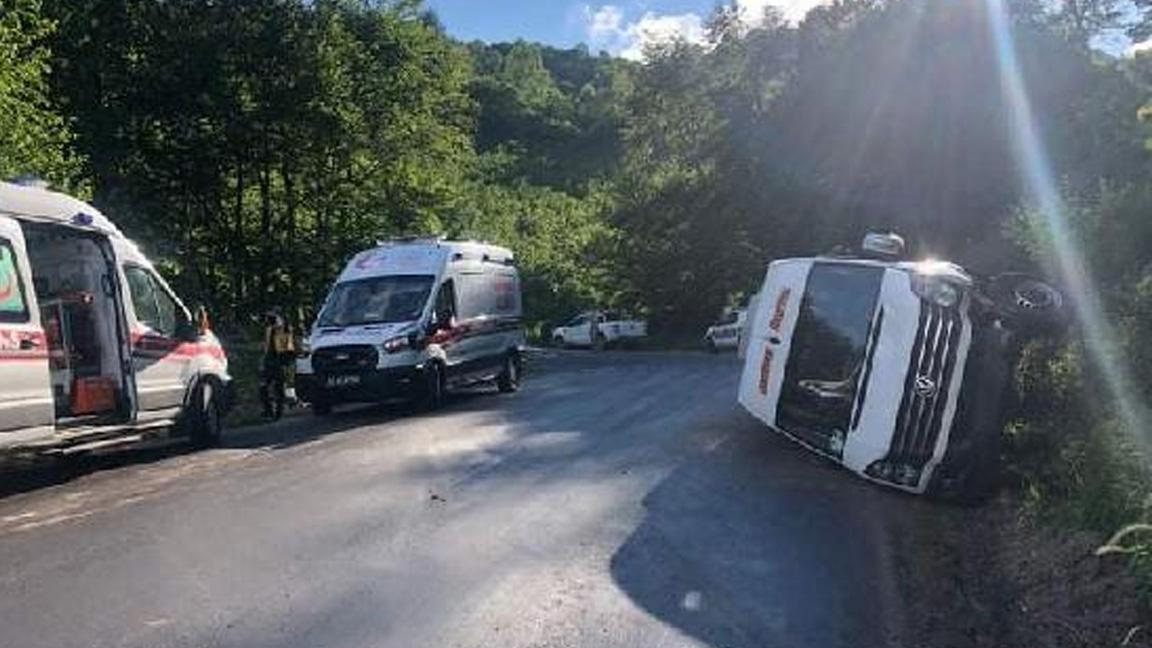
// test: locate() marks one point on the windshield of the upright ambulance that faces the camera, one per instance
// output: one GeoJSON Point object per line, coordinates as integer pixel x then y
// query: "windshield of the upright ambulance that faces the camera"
{"type": "Point", "coordinates": [377, 300]}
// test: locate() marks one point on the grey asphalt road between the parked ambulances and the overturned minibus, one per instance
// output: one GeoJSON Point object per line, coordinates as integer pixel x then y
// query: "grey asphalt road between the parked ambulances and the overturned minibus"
{"type": "Point", "coordinates": [618, 500]}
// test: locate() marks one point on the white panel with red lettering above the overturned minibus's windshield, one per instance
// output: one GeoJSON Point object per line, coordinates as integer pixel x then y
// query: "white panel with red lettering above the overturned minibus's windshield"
{"type": "Point", "coordinates": [770, 334]}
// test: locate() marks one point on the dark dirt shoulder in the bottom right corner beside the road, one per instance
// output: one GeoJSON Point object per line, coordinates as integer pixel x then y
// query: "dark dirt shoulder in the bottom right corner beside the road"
{"type": "Point", "coordinates": [991, 577]}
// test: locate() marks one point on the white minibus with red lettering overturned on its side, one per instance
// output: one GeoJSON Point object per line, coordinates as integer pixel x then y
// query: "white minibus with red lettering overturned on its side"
{"type": "Point", "coordinates": [900, 372]}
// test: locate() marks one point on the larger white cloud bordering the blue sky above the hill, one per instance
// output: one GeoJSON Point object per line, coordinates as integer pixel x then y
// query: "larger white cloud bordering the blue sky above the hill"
{"type": "Point", "coordinates": [608, 29]}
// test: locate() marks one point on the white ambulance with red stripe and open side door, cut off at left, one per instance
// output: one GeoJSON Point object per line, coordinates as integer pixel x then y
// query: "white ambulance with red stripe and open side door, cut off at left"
{"type": "Point", "coordinates": [95, 346]}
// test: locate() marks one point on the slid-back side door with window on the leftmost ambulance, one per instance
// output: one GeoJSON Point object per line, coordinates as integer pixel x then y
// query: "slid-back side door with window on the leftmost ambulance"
{"type": "Point", "coordinates": [26, 388]}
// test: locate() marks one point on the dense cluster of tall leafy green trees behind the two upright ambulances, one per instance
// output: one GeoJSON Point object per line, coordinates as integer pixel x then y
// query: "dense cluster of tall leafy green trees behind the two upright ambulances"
{"type": "Point", "coordinates": [256, 145]}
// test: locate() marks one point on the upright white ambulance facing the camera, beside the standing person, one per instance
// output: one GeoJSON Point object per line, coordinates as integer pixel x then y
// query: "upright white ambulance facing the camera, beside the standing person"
{"type": "Point", "coordinates": [413, 319]}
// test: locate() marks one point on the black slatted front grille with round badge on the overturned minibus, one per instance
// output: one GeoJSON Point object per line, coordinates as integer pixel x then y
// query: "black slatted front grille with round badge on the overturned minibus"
{"type": "Point", "coordinates": [927, 388]}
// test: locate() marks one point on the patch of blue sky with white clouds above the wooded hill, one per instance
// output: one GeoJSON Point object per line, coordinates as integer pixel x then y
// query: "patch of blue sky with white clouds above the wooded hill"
{"type": "Point", "coordinates": [620, 27]}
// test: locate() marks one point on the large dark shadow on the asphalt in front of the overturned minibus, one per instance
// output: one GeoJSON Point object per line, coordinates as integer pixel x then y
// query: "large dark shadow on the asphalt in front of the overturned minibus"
{"type": "Point", "coordinates": [756, 544]}
